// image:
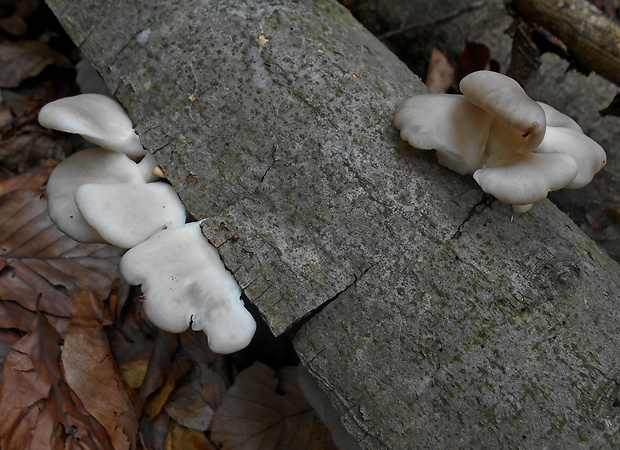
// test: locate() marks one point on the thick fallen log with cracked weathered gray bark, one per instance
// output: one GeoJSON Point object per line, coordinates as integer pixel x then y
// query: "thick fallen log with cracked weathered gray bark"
{"type": "Point", "coordinates": [430, 315]}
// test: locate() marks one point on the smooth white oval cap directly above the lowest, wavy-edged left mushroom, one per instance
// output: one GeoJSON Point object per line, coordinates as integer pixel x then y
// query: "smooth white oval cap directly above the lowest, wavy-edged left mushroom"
{"type": "Point", "coordinates": [127, 214]}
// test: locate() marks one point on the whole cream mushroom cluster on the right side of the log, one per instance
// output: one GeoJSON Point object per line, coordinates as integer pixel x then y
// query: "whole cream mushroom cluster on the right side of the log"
{"type": "Point", "coordinates": [517, 149]}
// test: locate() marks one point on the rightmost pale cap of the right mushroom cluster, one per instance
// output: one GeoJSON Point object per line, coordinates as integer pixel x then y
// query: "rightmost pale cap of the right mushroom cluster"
{"type": "Point", "coordinates": [588, 155]}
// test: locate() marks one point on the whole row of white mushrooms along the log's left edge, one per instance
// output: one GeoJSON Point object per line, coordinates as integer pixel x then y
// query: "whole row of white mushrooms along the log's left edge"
{"type": "Point", "coordinates": [106, 195]}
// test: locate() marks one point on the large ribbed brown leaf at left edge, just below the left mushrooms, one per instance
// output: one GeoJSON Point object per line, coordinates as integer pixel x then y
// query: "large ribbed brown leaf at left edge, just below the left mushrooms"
{"type": "Point", "coordinates": [40, 267]}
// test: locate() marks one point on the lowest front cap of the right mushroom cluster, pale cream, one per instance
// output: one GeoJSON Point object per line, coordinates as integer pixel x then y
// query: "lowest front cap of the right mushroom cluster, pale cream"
{"type": "Point", "coordinates": [526, 178]}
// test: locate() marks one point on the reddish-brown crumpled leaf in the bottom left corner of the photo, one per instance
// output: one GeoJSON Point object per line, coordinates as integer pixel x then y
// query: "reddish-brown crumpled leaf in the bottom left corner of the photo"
{"type": "Point", "coordinates": [36, 405]}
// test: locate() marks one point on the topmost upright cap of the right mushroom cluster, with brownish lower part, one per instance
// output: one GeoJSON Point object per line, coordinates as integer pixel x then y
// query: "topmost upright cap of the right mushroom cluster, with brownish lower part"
{"type": "Point", "coordinates": [505, 100]}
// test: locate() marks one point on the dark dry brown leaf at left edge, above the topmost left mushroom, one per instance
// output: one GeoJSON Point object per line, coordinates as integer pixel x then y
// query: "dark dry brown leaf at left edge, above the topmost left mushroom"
{"type": "Point", "coordinates": [26, 59]}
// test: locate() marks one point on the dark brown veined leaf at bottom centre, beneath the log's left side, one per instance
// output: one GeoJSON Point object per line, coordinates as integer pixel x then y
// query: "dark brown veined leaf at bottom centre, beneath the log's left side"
{"type": "Point", "coordinates": [263, 409]}
